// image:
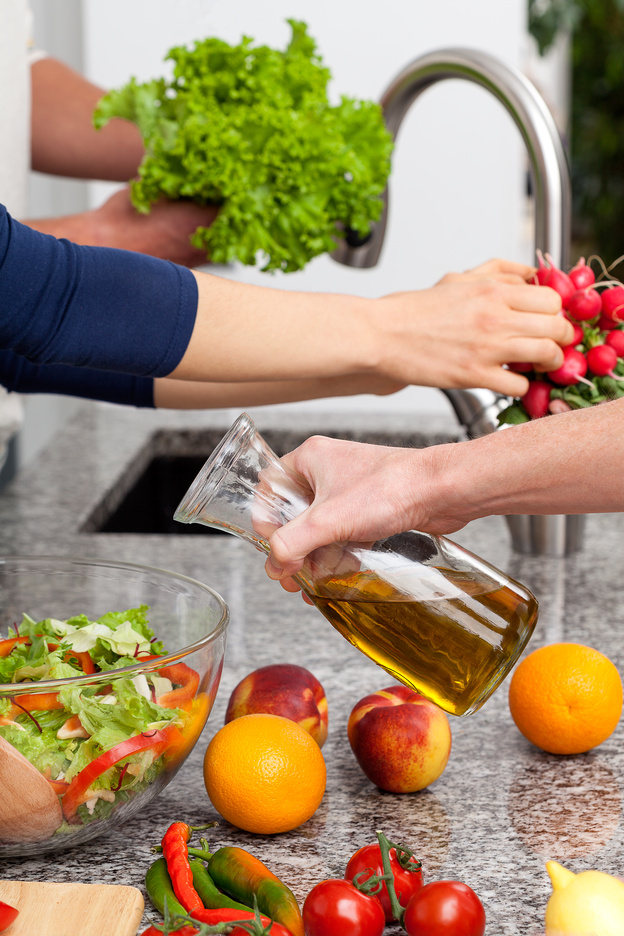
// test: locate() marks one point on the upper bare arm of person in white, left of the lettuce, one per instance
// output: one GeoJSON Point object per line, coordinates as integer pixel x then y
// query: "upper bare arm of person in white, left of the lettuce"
{"type": "Point", "coordinates": [63, 139]}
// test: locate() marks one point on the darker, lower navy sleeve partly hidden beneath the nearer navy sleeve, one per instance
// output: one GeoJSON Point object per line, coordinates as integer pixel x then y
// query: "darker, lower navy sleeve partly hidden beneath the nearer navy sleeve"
{"type": "Point", "coordinates": [21, 375]}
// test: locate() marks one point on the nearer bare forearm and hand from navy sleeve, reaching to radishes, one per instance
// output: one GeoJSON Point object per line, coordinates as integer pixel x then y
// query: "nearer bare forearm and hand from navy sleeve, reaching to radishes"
{"type": "Point", "coordinates": [457, 334]}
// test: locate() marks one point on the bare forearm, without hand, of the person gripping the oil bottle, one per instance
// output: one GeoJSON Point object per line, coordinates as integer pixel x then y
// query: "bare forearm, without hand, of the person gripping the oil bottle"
{"type": "Point", "coordinates": [568, 463]}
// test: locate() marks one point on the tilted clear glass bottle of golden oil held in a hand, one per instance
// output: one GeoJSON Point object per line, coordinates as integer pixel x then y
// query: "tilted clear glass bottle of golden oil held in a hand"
{"type": "Point", "coordinates": [433, 615]}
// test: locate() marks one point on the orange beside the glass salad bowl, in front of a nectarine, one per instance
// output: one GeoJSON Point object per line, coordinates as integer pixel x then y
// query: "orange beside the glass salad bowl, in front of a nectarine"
{"type": "Point", "coordinates": [264, 773]}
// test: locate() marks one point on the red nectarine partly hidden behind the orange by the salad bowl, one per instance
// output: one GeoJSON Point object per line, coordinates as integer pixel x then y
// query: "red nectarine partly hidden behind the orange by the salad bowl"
{"type": "Point", "coordinates": [282, 689]}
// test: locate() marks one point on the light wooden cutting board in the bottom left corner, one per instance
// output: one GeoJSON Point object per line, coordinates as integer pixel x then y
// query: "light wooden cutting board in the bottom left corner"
{"type": "Point", "coordinates": [47, 909]}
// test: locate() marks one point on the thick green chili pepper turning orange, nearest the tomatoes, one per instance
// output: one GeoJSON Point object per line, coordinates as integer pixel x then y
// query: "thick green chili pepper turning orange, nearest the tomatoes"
{"type": "Point", "coordinates": [244, 877]}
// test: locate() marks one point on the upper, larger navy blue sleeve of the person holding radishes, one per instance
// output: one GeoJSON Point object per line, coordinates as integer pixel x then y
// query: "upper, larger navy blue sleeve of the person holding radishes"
{"type": "Point", "coordinates": [96, 307]}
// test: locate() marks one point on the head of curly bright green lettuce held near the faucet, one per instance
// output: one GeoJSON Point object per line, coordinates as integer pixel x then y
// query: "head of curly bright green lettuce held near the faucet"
{"type": "Point", "coordinates": [251, 128]}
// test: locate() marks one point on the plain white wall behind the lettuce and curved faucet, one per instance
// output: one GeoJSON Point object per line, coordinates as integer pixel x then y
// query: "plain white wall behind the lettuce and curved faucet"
{"type": "Point", "coordinates": [459, 170]}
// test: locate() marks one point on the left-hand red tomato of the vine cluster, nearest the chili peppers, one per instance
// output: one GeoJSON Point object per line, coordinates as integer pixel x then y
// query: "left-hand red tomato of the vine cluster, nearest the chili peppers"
{"type": "Point", "coordinates": [336, 908]}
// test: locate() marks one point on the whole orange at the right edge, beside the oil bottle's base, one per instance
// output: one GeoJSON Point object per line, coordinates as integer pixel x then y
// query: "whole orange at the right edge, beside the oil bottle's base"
{"type": "Point", "coordinates": [566, 698]}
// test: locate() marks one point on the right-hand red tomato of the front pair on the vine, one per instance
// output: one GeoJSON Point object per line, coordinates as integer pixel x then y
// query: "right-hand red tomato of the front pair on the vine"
{"type": "Point", "coordinates": [445, 908]}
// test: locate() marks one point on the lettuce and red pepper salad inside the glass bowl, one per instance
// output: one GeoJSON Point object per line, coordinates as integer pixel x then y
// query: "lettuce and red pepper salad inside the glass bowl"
{"type": "Point", "coordinates": [99, 744]}
